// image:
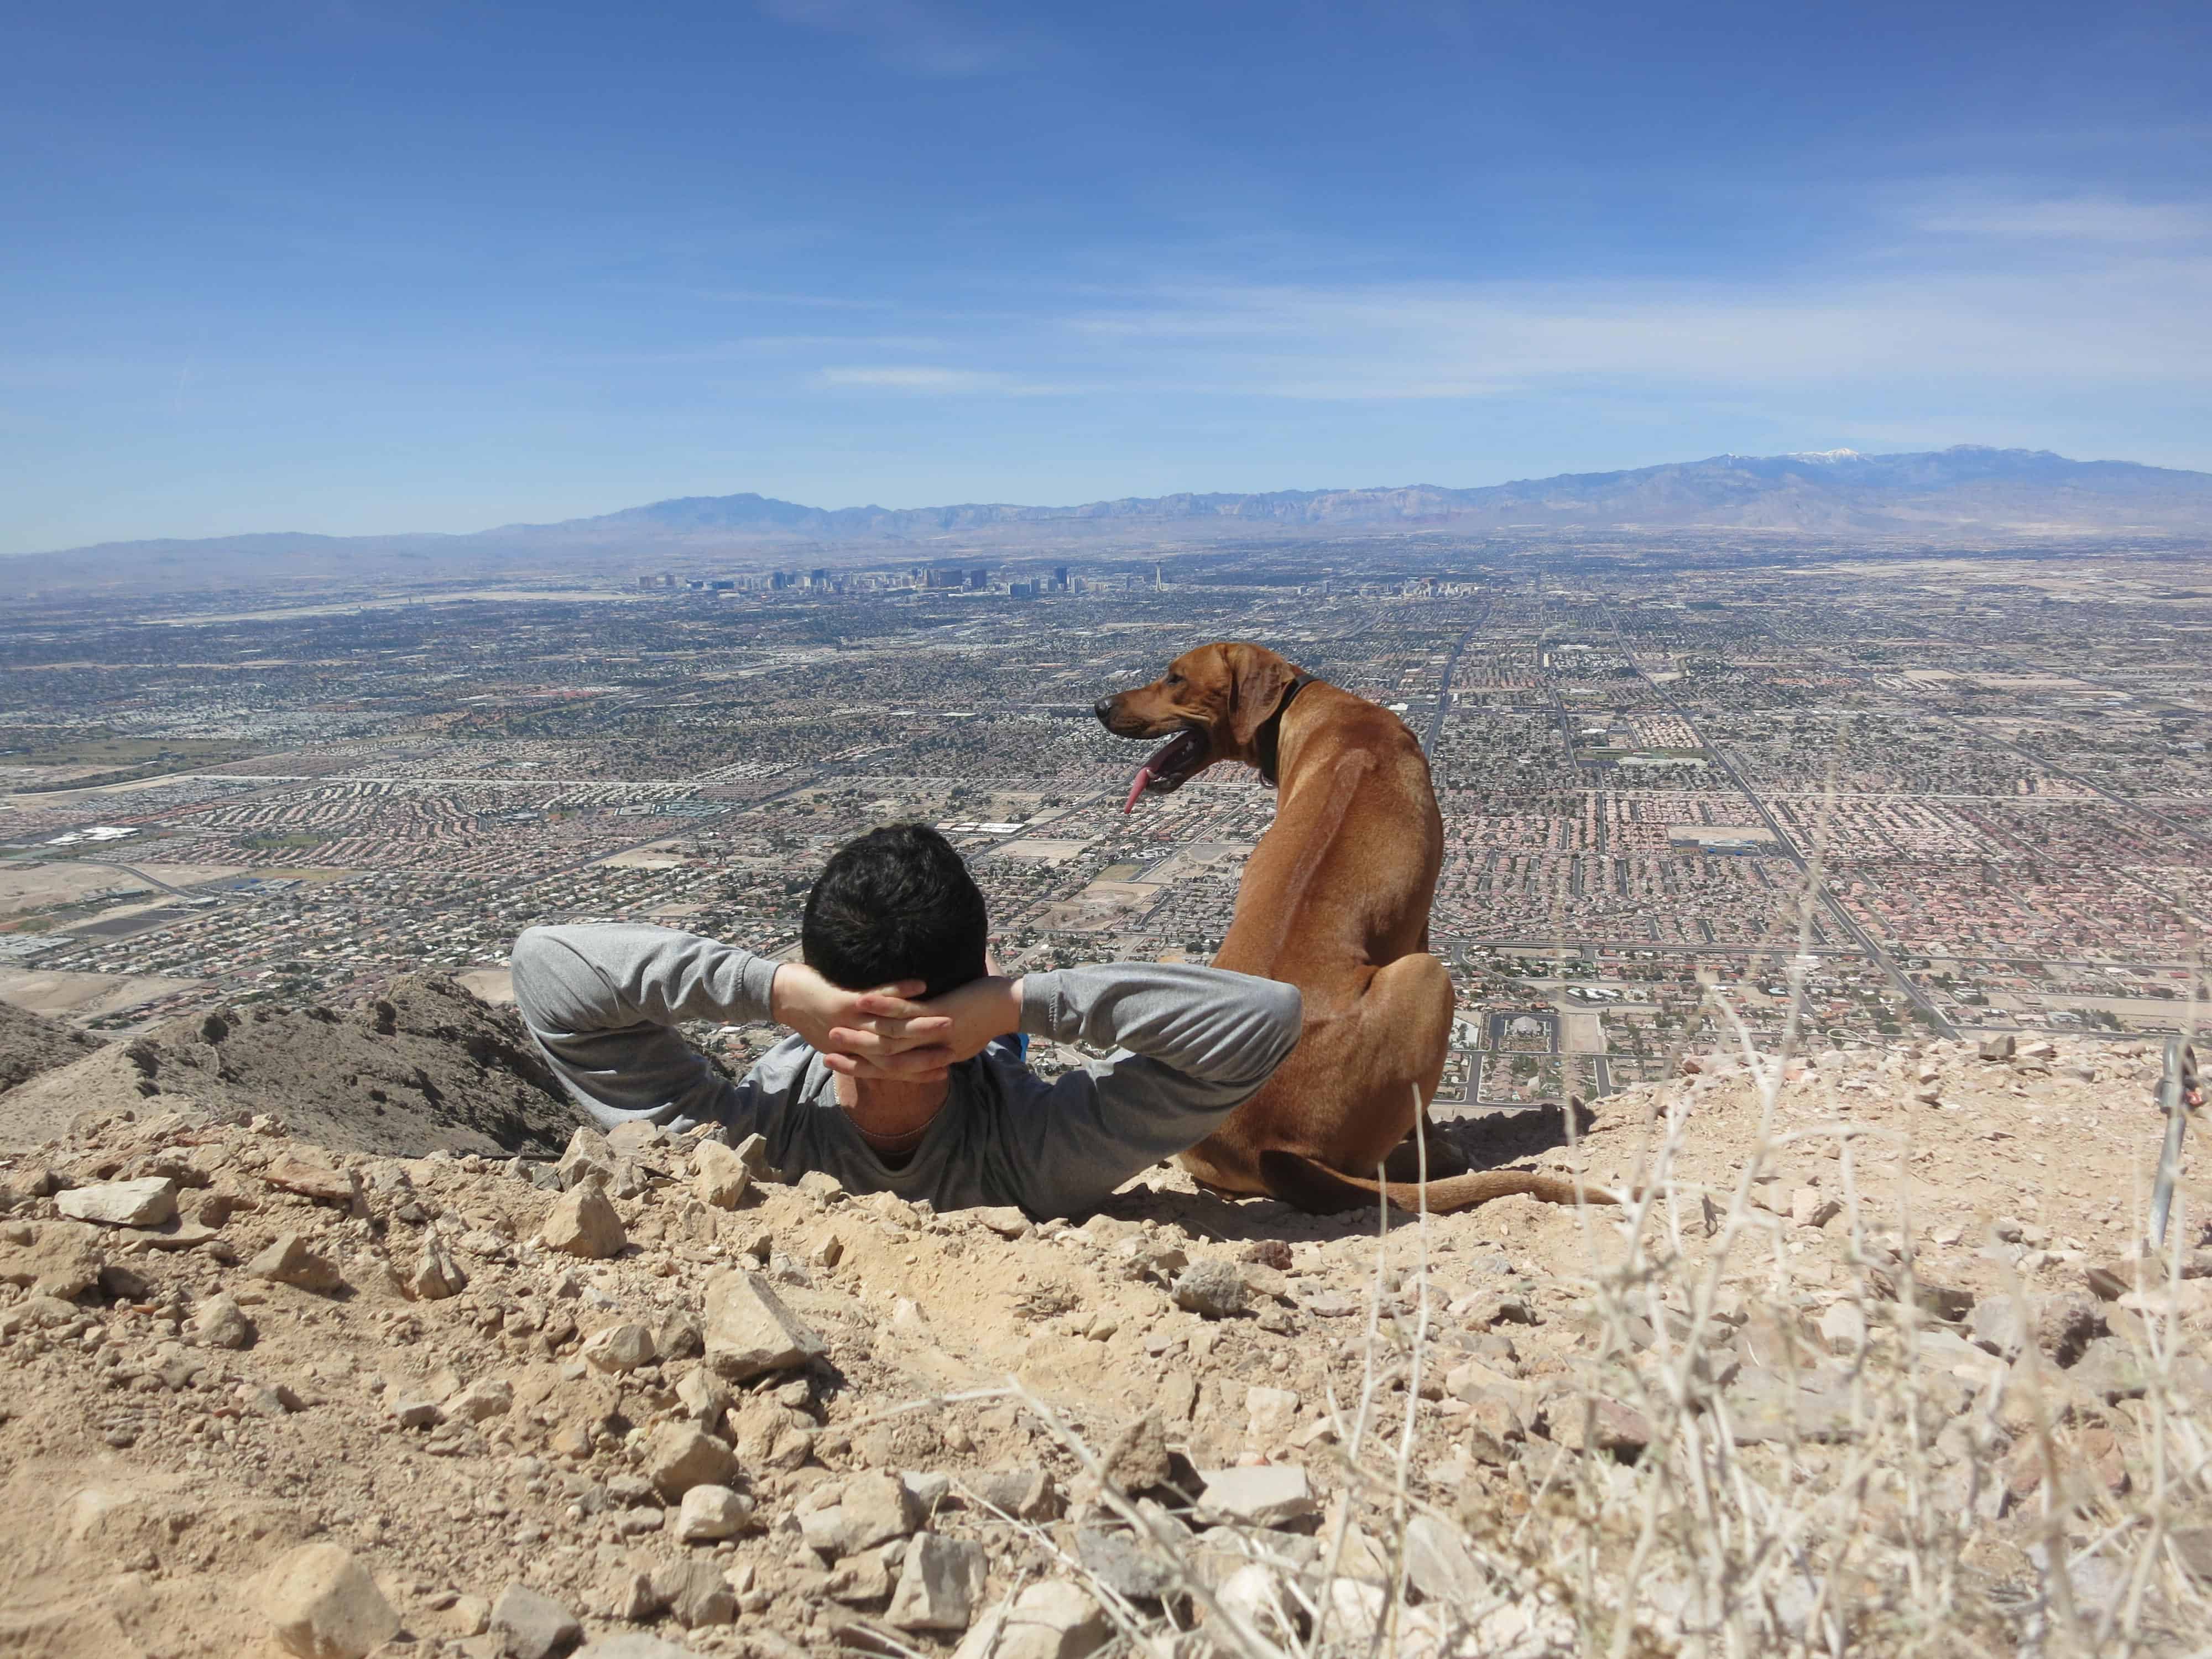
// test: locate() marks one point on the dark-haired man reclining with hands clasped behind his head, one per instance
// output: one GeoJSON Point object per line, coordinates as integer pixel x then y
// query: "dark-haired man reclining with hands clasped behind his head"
{"type": "Point", "coordinates": [904, 1072]}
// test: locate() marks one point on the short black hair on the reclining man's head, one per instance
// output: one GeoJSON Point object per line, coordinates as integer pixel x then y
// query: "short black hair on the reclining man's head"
{"type": "Point", "coordinates": [897, 906]}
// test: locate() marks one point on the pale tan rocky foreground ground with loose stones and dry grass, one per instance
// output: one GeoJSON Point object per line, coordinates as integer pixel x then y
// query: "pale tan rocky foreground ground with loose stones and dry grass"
{"type": "Point", "coordinates": [1868, 1368]}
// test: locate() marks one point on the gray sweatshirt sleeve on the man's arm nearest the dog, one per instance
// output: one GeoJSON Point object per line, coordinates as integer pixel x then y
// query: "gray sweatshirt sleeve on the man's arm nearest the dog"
{"type": "Point", "coordinates": [1191, 1047]}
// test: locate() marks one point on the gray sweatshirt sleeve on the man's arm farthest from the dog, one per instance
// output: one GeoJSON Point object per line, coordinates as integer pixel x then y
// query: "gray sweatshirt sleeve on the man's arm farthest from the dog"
{"type": "Point", "coordinates": [603, 1003]}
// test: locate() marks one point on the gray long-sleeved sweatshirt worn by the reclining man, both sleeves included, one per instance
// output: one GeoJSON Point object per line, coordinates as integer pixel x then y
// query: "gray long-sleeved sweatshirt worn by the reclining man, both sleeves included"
{"type": "Point", "coordinates": [1191, 1045]}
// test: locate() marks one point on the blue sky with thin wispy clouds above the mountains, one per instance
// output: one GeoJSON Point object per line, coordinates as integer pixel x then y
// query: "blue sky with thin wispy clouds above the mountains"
{"type": "Point", "coordinates": [371, 267]}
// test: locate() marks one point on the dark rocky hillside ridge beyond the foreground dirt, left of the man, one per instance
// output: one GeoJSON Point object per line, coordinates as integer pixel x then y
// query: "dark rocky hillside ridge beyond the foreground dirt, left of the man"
{"type": "Point", "coordinates": [415, 1070]}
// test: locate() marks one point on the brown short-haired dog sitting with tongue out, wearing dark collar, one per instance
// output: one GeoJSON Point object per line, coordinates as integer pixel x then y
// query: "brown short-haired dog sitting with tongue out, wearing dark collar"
{"type": "Point", "coordinates": [1335, 901]}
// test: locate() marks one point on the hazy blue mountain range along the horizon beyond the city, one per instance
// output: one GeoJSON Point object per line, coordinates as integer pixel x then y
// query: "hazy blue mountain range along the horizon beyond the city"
{"type": "Point", "coordinates": [1932, 497]}
